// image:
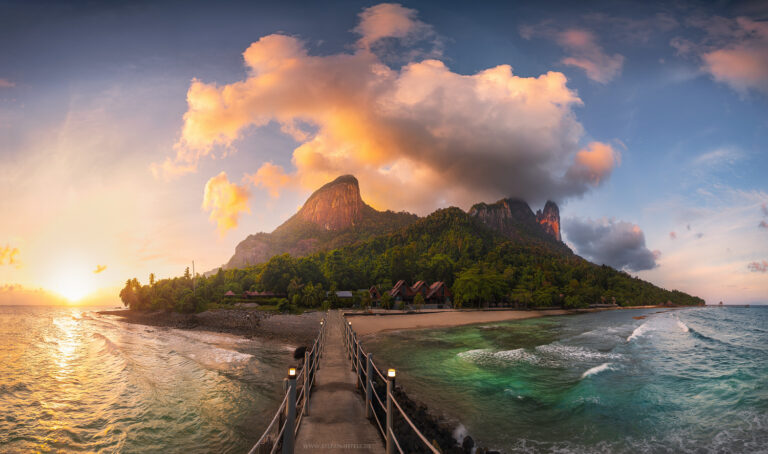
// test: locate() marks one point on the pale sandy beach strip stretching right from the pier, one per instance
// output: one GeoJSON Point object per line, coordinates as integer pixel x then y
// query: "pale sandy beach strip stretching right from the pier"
{"type": "Point", "coordinates": [379, 322]}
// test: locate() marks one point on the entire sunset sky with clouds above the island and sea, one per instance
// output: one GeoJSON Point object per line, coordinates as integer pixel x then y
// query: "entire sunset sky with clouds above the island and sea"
{"type": "Point", "coordinates": [138, 137]}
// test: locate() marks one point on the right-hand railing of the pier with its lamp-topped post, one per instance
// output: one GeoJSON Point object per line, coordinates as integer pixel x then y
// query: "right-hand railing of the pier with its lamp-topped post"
{"type": "Point", "coordinates": [371, 381]}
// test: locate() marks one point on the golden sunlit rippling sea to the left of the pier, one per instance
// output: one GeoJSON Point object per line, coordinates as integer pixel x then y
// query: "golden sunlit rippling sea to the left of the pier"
{"type": "Point", "coordinates": [72, 380]}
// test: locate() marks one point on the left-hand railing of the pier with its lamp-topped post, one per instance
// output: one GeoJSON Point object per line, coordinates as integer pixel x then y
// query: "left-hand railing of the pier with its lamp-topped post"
{"type": "Point", "coordinates": [280, 434]}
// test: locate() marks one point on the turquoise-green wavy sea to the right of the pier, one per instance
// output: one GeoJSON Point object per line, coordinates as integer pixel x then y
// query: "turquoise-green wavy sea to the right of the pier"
{"type": "Point", "coordinates": [692, 380]}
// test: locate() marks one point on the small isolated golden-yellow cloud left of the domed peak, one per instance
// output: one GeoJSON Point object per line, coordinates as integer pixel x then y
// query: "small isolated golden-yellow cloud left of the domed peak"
{"type": "Point", "coordinates": [226, 201]}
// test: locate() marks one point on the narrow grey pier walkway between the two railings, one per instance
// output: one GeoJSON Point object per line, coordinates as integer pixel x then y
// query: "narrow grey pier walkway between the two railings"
{"type": "Point", "coordinates": [336, 421]}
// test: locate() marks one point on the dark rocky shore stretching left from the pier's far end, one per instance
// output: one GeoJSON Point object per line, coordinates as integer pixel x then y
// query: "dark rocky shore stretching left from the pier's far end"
{"type": "Point", "coordinates": [292, 329]}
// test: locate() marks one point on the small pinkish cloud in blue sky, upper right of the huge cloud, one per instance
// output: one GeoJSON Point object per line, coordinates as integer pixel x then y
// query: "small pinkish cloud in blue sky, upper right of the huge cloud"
{"type": "Point", "coordinates": [584, 51]}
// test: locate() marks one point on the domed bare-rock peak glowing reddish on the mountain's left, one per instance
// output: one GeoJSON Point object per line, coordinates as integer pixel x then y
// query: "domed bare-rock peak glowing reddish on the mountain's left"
{"type": "Point", "coordinates": [335, 215]}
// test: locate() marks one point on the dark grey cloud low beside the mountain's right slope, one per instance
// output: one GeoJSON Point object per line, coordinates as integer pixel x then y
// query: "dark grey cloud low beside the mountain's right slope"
{"type": "Point", "coordinates": [615, 243]}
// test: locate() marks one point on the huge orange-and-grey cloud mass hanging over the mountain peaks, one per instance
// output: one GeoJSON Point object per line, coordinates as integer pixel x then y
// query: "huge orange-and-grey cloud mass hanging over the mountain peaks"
{"type": "Point", "coordinates": [434, 135]}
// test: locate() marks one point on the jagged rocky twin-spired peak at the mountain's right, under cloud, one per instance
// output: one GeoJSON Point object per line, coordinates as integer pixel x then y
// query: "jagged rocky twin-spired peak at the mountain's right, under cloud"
{"type": "Point", "coordinates": [515, 219]}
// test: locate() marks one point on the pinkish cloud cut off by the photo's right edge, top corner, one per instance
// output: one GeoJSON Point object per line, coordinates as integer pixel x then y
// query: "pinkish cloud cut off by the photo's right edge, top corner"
{"type": "Point", "coordinates": [733, 51]}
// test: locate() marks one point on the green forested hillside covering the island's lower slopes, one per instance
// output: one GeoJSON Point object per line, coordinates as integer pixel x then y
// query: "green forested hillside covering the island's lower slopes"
{"type": "Point", "coordinates": [481, 265]}
